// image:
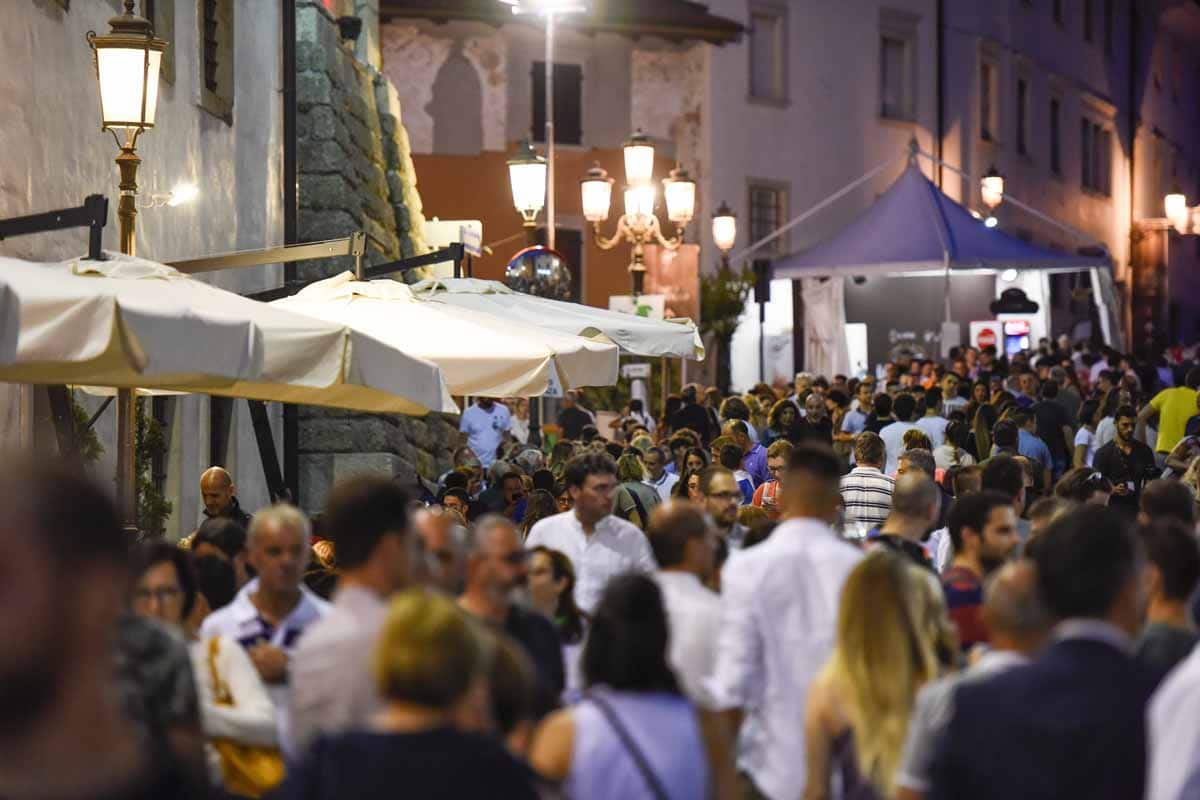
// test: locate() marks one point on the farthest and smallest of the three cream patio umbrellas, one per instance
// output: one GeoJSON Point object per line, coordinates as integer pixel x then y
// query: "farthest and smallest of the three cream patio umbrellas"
{"type": "Point", "coordinates": [633, 335]}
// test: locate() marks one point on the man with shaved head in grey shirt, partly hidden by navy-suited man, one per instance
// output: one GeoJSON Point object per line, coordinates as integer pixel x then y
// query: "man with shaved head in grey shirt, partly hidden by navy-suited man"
{"type": "Point", "coordinates": [1019, 627]}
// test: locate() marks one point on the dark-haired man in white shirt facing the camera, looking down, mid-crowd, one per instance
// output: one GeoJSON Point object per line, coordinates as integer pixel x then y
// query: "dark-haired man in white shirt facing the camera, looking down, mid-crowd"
{"type": "Point", "coordinates": [598, 544]}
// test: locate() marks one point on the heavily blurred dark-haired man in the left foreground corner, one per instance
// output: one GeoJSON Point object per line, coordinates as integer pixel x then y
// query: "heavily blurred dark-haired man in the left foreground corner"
{"type": "Point", "coordinates": [62, 733]}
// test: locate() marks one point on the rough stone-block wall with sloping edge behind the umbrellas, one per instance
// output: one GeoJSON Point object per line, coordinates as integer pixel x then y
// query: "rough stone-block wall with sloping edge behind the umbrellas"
{"type": "Point", "coordinates": [356, 173]}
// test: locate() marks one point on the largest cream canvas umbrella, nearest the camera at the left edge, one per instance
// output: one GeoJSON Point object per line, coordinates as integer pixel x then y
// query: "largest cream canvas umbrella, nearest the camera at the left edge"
{"type": "Point", "coordinates": [127, 323]}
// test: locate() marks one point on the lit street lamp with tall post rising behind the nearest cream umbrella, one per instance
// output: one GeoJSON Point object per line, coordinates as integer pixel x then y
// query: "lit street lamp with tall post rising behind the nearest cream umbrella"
{"type": "Point", "coordinates": [128, 63]}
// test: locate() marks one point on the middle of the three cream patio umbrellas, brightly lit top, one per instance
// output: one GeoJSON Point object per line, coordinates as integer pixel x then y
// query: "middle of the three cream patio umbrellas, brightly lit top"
{"type": "Point", "coordinates": [479, 354]}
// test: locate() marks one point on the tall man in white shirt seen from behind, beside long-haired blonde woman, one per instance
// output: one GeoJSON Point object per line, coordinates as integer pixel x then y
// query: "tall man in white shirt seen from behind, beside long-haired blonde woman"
{"type": "Point", "coordinates": [779, 609]}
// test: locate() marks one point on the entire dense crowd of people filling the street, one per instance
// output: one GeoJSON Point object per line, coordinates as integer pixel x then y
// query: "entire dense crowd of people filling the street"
{"type": "Point", "coordinates": [974, 579]}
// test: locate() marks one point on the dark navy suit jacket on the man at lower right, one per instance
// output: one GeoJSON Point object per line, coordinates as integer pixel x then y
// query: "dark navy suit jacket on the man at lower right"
{"type": "Point", "coordinates": [1071, 725]}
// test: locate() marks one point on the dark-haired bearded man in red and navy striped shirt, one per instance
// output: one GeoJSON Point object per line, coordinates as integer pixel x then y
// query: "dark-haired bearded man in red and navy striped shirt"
{"type": "Point", "coordinates": [983, 531]}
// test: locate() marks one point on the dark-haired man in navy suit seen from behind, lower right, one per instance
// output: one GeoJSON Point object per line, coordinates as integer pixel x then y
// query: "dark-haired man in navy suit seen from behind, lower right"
{"type": "Point", "coordinates": [1071, 725]}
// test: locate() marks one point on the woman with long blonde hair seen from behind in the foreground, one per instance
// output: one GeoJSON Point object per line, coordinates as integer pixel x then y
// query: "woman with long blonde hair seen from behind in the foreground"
{"type": "Point", "coordinates": [893, 637]}
